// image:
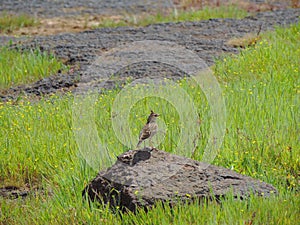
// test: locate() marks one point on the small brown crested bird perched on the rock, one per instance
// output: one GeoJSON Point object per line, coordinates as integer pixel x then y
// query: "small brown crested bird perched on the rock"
{"type": "Point", "coordinates": [149, 129]}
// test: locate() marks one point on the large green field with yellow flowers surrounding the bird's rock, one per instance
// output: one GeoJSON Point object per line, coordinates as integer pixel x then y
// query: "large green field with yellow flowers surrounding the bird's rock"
{"type": "Point", "coordinates": [261, 90]}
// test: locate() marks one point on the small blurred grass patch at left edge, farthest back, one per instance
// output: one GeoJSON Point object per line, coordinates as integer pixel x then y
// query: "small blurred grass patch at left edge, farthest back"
{"type": "Point", "coordinates": [9, 22]}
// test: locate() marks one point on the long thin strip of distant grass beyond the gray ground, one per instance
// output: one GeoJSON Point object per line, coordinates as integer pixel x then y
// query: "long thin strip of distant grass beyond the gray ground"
{"type": "Point", "coordinates": [177, 16]}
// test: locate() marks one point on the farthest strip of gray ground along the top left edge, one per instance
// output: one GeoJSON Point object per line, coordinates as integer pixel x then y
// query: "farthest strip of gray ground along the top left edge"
{"type": "Point", "coordinates": [48, 8]}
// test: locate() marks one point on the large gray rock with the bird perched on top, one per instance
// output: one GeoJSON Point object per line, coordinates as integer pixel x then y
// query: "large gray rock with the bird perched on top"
{"type": "Point", "coordinates": [140, 178]}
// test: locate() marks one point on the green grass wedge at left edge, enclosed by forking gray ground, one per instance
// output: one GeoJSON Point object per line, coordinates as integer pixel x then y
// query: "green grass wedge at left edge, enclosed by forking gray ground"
{"type": "Point", "coordinates": [25, 67]}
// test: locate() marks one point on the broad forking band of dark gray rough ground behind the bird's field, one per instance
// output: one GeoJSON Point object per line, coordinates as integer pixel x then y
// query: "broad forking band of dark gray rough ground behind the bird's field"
{"type": "Point", "coordinates": [207, 39]}
